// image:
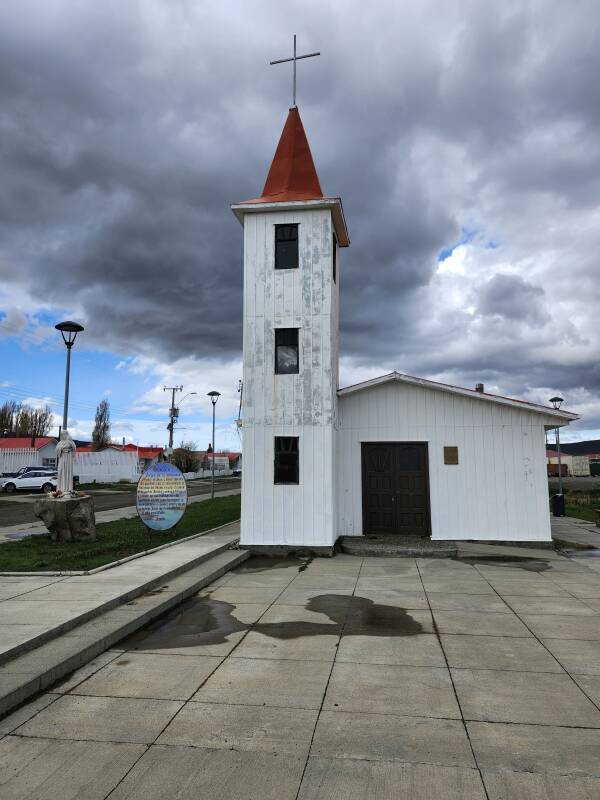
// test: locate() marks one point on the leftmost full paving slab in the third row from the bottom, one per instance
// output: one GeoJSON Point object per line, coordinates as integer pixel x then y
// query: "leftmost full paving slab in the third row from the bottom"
{"type": "Point", "coordinates": [163, 677]}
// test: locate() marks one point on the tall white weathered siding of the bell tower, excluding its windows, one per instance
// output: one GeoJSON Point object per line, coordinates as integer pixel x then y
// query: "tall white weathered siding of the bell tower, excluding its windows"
{"type": "Point", "coordinates": [303, 405]}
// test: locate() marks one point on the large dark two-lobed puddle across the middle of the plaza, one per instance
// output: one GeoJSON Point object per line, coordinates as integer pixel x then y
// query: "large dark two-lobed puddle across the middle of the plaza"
{"type": "Point", "coordinates": [203, 621]}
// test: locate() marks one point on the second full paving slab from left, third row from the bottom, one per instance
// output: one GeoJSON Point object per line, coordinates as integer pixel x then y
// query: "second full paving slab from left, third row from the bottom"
{"type": "Point", "coordinates": [251, 681]}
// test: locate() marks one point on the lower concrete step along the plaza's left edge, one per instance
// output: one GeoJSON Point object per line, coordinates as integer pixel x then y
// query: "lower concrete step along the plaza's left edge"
{"type": "Point", "coordinates": [36, 670]}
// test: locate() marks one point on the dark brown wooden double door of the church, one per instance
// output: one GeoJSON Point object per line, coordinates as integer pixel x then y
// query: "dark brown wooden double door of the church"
{"type": "Point", "coordinates": [395, 488]}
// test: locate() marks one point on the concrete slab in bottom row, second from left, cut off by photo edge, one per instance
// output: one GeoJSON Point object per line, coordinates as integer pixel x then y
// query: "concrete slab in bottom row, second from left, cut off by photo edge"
{"type": "Point", "coordinates": [190, 773]}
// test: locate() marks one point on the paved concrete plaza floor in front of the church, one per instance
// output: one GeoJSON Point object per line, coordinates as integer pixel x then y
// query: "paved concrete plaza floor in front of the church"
{"type": "Point", "coordinates": [337, 678]}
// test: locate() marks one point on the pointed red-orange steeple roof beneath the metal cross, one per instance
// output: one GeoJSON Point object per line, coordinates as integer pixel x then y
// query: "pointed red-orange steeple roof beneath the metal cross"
{"type": "Point", "coordinates": [292, 175]}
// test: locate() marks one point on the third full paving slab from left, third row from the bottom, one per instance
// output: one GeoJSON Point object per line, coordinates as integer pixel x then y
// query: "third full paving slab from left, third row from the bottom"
{"type": "Point", "coordinates": [385, 689]}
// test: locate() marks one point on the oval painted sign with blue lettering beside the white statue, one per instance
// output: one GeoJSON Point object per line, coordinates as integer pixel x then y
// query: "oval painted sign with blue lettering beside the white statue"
{"type": "Point", "coordinates": [161, 496]}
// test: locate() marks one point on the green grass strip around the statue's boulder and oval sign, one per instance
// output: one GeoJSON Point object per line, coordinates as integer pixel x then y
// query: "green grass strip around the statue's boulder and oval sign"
{"type": "Point", "coordinates": [115, 540]}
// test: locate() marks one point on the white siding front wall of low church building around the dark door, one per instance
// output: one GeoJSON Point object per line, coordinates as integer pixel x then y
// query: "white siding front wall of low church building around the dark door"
{"type": "Point", "coordinates": [498, 490]}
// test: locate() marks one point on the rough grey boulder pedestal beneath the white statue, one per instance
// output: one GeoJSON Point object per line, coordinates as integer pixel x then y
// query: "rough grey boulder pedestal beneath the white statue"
{"type": "Point", "coordinates": [69, 519]}
